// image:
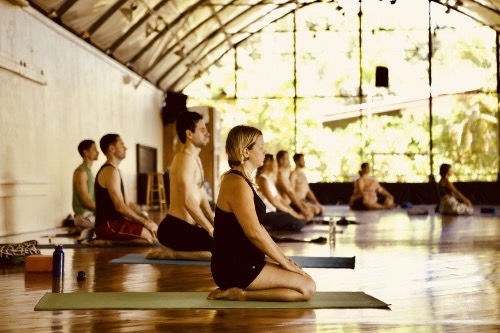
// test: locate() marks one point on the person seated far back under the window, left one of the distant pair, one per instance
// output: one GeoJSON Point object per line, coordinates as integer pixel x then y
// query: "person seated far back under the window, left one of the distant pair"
{"type": "Point", "coordinates": [368, 193]}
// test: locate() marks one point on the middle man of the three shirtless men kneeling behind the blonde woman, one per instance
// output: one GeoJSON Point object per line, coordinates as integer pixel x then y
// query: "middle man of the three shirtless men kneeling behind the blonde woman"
{"type": "Point", "coordinates": [286, 190]}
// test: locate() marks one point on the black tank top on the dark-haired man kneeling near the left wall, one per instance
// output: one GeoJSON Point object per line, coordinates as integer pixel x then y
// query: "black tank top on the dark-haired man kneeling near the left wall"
{"type": "Point", "coordinates": [104, 207]}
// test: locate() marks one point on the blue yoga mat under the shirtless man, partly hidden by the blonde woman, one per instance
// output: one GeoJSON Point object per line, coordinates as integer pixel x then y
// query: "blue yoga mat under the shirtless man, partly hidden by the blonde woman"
{"type": "Point", "coordinates": [306, 262]}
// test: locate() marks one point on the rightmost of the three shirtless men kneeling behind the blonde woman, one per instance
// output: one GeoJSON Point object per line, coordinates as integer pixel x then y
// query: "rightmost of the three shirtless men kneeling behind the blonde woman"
{"type": "Point", "coordinates": [301, 186]}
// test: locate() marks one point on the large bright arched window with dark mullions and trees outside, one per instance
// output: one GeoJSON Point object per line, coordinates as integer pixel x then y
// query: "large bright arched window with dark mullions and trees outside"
{"type": "Point", "coordinates": [308, 81]}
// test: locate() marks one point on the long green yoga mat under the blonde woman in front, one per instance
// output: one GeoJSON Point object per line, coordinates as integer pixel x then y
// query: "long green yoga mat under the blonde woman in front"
{"type": "Point", "coordinates": [195, 300]}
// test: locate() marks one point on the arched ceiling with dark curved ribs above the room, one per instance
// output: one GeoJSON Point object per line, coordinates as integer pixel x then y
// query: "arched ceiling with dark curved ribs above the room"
{"type": "Point", "coordinates": [170, 42]}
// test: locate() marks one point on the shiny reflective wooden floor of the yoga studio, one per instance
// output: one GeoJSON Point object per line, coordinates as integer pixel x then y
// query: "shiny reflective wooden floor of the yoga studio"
{"type": "Point", "coordinates": [440, 274]}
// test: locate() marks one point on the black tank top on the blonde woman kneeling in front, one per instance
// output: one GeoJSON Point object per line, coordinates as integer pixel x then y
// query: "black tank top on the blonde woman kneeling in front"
{"type": "Point", "coordinates": [230, 242]}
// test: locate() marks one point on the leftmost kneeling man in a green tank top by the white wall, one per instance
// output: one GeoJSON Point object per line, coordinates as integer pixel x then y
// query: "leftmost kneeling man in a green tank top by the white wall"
{"type": "Point", "coordinates": [83, 190]}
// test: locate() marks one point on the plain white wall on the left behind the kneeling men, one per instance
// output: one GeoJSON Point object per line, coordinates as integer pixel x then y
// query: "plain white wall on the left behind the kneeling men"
{"type": "Point", "coordinates": [67, 91]}
